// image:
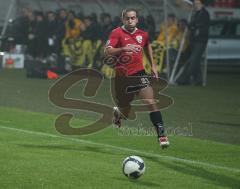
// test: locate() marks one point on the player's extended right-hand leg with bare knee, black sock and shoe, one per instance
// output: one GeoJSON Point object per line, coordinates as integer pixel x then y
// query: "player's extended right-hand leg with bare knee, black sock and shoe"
{"type": "Point", "coordinates": [147, 95]}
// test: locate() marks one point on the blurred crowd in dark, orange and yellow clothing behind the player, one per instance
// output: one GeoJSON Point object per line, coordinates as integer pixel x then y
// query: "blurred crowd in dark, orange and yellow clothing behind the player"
{"type": "Point", "coordinates": [79, 39]}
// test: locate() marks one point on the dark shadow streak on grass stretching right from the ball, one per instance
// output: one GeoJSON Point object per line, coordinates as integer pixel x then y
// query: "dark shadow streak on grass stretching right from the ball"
{"type": "Point", "coordinates": [196, 171]}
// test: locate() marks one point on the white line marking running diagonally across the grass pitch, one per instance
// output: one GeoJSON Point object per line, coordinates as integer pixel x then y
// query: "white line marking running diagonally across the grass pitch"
{"type": "Point", "coordinates": [171, 158]}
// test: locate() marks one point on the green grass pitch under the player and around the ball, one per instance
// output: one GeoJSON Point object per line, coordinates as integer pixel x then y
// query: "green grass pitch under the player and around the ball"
{"type": "Point", "coordinates": [34, 155]}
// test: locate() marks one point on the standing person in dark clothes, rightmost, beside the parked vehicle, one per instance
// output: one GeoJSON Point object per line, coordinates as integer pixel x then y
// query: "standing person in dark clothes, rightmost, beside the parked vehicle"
{"type": "Point", "coordinates": [199, 27]}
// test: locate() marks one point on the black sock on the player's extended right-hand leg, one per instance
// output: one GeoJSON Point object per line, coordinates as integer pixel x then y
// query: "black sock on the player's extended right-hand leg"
{"type": "Point", "coordinates": [156, 118]}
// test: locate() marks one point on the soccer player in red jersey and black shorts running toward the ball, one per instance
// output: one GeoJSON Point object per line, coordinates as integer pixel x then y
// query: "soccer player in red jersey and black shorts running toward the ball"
{"type": "Point", "coordinates": [127, 43]}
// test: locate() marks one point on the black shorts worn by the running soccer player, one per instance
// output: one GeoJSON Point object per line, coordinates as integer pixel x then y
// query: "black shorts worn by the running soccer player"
{"type": "Point", "coordinates": [126, 87]}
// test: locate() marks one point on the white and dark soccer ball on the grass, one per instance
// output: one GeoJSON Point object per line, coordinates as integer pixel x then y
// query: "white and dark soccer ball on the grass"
{"type": "Point", "coordinates": [133, 167]}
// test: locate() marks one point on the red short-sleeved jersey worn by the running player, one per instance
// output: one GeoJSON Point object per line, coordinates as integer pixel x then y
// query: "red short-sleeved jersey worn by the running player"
{"type": "Point", "coordinates": [128, 63]}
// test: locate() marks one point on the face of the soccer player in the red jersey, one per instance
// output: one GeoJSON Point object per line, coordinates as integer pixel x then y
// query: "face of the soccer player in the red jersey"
{"type": "Point", "coordinates": [130, 21]}
